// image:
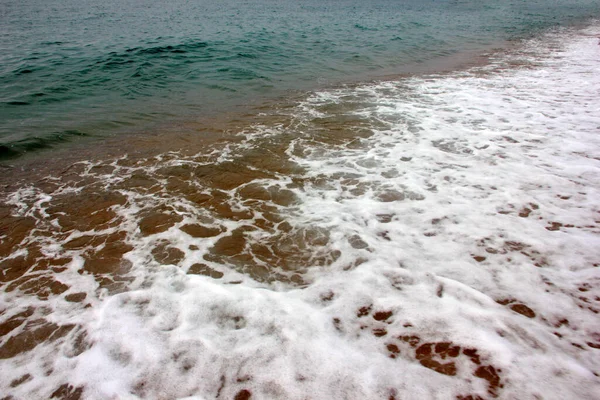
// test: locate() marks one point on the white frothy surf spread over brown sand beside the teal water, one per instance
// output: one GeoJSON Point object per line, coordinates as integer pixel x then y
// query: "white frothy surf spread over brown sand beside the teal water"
{"type": "Point", "coordinates": [433, 237]}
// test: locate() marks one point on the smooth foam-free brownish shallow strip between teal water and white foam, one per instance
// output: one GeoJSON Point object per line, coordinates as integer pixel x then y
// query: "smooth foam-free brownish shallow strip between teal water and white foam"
{"type": "Point", "coordinates": [179, 134]}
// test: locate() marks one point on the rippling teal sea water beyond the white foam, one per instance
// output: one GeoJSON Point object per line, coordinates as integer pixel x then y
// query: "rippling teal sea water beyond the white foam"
{"type": "Point", "coordinates": [84, 68]}
